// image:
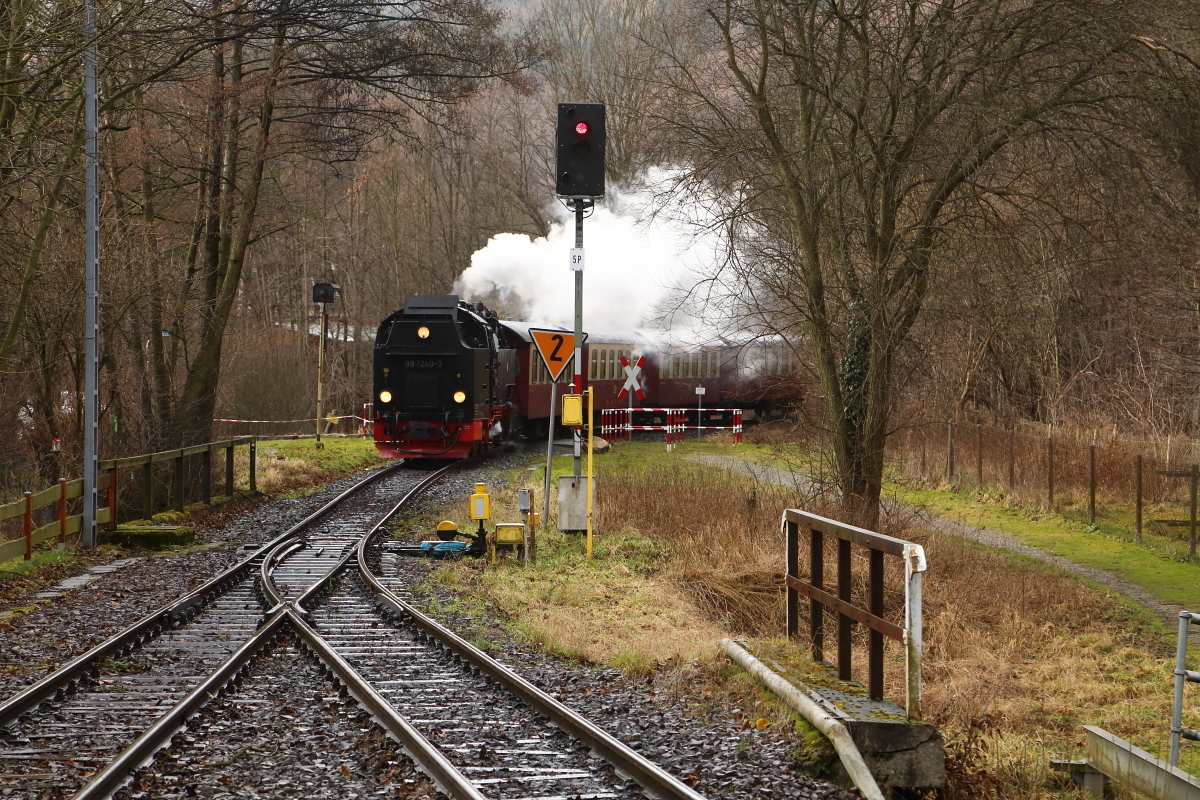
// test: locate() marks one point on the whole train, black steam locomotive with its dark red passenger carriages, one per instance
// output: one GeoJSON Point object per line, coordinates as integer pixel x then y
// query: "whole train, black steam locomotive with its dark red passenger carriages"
{"type": "Point", "coordinates": [451, 378]}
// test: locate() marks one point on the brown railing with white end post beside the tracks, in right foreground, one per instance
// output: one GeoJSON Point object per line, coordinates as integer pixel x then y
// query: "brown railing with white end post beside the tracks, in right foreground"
{"type": "Point", "coordinates": [878, 546]}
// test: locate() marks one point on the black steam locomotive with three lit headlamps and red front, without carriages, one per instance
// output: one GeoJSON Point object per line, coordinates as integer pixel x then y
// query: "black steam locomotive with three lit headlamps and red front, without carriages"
{"type": "Point", "coordinates": [435, 363]}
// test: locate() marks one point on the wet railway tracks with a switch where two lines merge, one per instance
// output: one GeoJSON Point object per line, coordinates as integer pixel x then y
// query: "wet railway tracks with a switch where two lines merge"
{"type": "Point", "coordinates": [473, 726]}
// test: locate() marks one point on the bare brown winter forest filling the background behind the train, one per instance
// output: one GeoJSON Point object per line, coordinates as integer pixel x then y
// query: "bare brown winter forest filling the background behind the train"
{"type": "Point", "coordinates": [958, 209]}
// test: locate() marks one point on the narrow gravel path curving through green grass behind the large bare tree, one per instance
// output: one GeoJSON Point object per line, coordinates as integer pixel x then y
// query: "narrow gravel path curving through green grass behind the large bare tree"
{"type": "Point", "coordinates": [1168, 612]}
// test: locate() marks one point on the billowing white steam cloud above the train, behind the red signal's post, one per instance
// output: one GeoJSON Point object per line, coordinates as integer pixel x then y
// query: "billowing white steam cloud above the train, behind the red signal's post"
{"type": "Point", "coordinates": [638, 269]}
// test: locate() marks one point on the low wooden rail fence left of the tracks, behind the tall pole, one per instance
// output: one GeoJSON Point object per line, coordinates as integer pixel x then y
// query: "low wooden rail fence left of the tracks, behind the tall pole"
{"type": "Point", "coordinates": [109, 485]}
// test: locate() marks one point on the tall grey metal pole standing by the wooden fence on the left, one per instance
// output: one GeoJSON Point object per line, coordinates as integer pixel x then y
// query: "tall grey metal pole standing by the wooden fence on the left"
{"type": "Point", "coordinates": [92, 258]}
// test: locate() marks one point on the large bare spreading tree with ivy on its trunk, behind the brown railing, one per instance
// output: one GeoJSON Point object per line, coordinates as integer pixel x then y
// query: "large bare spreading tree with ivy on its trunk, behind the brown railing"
{"type": "Point", "coordinates": [842, 145]}
